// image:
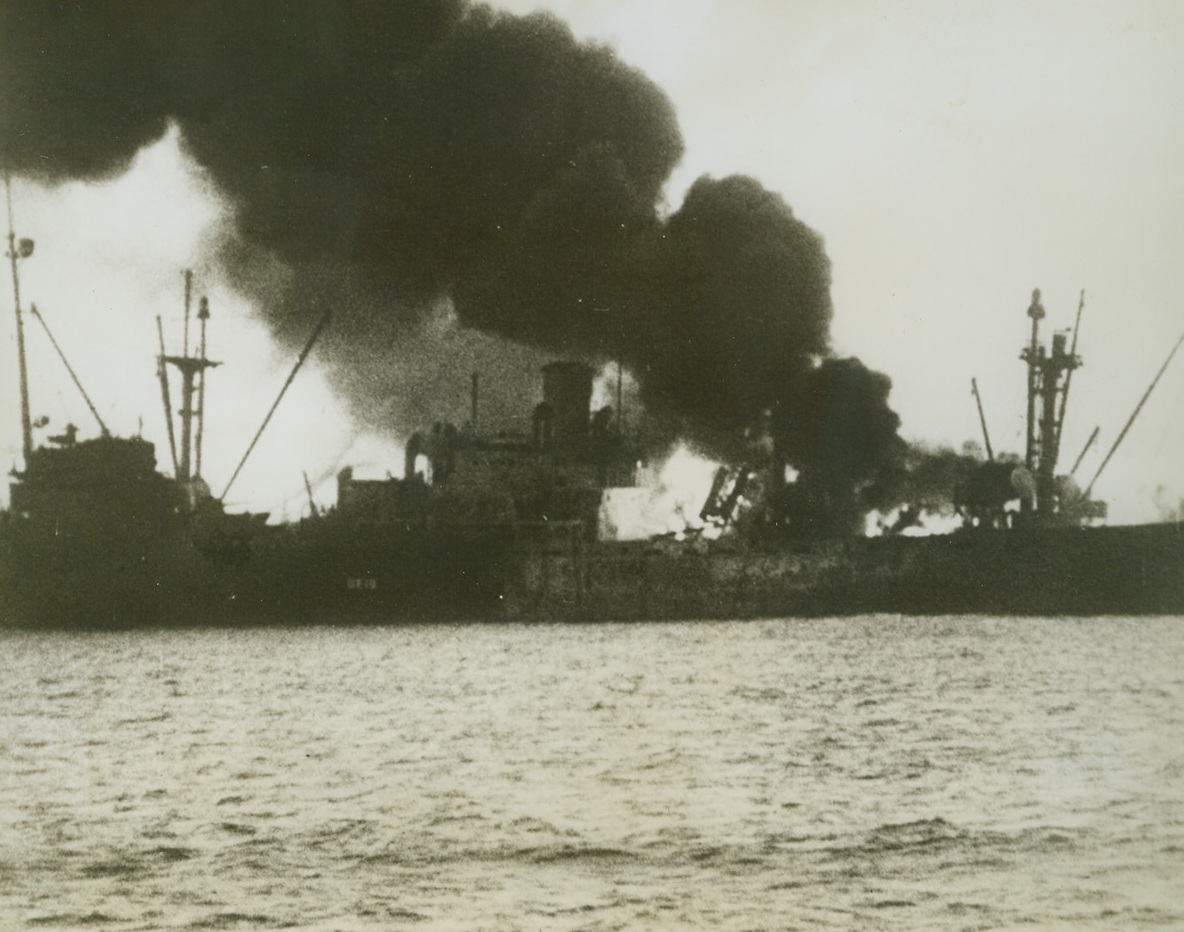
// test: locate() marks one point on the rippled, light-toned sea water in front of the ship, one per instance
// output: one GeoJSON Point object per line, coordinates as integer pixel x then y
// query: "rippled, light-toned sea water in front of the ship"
{"type": "Point", "coordinates": [873, 773]}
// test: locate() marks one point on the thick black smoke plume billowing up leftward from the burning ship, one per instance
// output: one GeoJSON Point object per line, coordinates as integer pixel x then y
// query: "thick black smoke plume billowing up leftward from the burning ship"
{"type": "Point", "coordinates": [465, 188]}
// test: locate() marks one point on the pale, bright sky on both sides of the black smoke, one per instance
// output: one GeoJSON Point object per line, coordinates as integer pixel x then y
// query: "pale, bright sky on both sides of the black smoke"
{"type": "Point", "coordinates": [953, 156]}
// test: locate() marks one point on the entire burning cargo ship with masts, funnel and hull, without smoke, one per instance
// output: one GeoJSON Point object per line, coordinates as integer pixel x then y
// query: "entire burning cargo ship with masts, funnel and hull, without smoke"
{"type": "Point", "coordinates": [505, 526]}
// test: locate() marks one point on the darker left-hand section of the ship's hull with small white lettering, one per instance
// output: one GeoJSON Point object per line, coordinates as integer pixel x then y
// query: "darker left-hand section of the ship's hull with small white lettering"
{"type": "Point", "coordinates": [316, 574]}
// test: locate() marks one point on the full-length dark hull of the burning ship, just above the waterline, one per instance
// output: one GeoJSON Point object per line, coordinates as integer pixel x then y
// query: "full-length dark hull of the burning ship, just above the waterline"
{"type": "Point", "coordinates": [326, 574]}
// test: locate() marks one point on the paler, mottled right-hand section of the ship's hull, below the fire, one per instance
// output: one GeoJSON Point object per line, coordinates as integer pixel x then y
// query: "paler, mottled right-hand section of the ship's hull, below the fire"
{"type": "Point", "coordinates": [1096, 571]}
